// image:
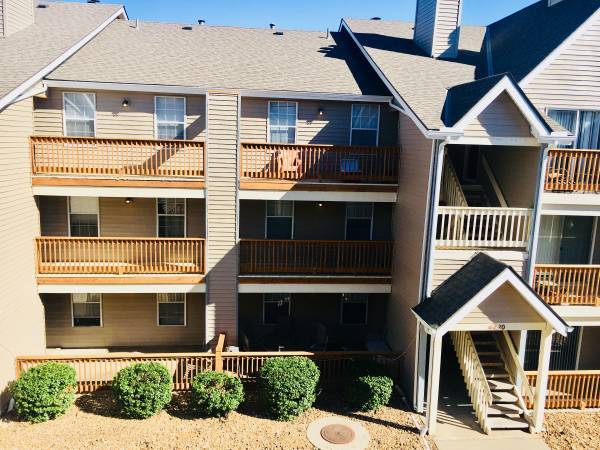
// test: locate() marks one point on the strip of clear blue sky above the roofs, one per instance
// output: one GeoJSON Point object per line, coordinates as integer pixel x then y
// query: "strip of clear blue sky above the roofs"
{"type": "Point", "coordinates": [304, 14]}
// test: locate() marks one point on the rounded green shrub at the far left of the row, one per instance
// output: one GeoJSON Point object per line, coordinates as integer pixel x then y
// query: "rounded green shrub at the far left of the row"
{"type": "Point", "coordinates": [45, 391]}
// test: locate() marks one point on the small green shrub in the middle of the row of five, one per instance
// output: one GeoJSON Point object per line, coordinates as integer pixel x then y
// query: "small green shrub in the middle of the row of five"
{"type": "Point", "coordinates": [216, 394]}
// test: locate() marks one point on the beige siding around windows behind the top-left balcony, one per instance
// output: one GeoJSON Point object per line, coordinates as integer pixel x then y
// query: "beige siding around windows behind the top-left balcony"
{"type": "Point", "coordinates": [114, 121]}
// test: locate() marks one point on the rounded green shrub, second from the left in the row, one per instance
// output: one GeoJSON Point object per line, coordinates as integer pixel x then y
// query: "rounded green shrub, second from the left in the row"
{"type": "Point", "coordinates": [142, 389]}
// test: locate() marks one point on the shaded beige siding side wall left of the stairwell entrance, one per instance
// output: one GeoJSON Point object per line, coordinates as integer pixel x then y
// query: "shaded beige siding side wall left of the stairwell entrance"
{"type": "Point", "coordinates": [410, 219]}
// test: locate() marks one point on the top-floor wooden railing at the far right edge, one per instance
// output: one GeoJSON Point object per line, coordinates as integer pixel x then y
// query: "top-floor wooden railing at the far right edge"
{"type": "Point", "coordinates": [573, 170]}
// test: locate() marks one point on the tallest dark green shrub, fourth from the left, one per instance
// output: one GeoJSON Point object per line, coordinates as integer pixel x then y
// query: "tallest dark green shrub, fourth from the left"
{"type": "Point", "coordinates": [288, 386]}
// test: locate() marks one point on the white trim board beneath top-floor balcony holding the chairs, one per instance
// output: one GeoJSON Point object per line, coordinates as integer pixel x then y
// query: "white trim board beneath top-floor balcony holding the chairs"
{"type": "Point", "coordinates": [314, 196]}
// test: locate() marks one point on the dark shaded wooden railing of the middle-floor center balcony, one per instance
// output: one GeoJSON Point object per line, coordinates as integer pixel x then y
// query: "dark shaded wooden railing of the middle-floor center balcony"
{"type": "Point", "coordinates": [315, 257]}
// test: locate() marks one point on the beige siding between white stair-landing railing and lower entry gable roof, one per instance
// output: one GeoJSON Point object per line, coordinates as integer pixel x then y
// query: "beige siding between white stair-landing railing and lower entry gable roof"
{"type": "Point", "coordinates": [448, 262]}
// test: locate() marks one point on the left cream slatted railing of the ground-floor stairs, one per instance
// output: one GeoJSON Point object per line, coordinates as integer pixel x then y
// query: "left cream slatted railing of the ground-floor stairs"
{"type": "Point", "coordinates": [472, 370]}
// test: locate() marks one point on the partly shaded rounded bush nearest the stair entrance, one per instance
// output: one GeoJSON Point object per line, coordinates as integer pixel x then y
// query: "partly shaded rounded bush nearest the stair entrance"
{"type": "Point", "coordinates": [368, 386]}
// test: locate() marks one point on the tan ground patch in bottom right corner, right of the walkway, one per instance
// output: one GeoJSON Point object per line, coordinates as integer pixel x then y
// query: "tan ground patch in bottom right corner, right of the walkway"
{"type": "Point", "coordinates": [572, 431]}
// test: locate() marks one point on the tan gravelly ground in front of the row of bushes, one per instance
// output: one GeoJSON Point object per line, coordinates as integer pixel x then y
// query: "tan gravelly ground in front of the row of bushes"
{"type": "Point", "coordinates": [91, 423]}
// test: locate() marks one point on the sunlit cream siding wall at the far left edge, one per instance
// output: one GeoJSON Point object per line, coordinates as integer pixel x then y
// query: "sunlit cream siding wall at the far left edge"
{"type": "Point", "coordinates": [21, 312]}
